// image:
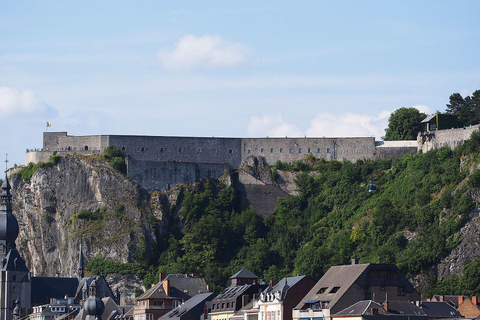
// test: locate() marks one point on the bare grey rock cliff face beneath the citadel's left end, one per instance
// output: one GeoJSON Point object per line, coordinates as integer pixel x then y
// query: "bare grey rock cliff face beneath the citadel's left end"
{"type": "Point", "coordinates": [81, 199]}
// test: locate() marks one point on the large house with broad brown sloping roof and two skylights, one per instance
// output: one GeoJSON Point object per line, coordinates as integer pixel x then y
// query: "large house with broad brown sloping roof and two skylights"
{"type": "Point", "coordinates": [342, 286]}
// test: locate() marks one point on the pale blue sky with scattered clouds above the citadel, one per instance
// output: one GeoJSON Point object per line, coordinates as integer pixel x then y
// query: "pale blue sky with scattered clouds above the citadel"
{"type": "Point", "coordinates": [228, 68]}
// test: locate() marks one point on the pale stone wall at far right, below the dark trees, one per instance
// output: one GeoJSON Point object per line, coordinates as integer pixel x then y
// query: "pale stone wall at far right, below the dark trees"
{"type": "Point", "coordinates": [440, 138]}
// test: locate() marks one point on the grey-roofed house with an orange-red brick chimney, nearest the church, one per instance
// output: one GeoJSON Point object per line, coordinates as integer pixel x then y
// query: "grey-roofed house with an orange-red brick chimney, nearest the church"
{"type": "Point", "coordinates": [170, 292]}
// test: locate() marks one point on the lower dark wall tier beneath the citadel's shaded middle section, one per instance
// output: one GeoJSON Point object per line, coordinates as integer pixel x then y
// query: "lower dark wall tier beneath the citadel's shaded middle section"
{"type": "Point", "coordinates": [154, 175]}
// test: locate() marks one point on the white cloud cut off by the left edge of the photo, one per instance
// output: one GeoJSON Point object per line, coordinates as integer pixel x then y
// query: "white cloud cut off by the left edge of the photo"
{"type": "Point", "coordinates": [22, 102]}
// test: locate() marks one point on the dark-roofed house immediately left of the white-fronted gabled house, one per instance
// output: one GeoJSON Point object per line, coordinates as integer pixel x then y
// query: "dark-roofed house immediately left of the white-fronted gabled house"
{"type": "Point", "coordinates": [242, 291]}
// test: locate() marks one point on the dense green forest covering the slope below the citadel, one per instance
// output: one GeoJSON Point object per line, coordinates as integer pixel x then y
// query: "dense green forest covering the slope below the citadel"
{"type": "Point", "coordinates": [420, 202]}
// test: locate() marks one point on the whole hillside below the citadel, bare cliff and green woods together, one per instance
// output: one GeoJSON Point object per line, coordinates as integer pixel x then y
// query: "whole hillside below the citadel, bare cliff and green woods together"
{"type": "Point", "coordinates": [422, 218]}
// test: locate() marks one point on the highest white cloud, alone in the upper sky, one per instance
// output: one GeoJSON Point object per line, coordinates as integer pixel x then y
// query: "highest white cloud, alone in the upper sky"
{"type": "Point", "coordinates": [193, 52]}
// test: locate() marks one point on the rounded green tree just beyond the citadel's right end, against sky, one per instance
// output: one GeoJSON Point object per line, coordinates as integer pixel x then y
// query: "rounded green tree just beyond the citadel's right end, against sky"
{"type": "Point", "coordinates": [404, 124]}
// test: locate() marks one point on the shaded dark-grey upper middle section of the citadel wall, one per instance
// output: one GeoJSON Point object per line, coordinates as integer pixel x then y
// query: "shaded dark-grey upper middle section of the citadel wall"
{"type": "Point", "coordinates": [180, 149]}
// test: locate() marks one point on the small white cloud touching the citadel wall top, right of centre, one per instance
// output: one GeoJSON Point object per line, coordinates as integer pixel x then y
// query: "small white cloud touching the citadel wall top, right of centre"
{"type": "Point", "coordinates": [272, 126]}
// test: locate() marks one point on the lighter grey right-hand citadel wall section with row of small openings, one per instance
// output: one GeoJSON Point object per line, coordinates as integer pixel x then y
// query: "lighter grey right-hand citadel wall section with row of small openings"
{"type": "Point", "coordinates": [293, 149]}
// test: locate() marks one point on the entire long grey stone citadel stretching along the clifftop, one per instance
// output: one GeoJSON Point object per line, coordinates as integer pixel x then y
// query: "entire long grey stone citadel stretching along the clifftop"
{"type": "Point", "coordinates": [160, 163]}
